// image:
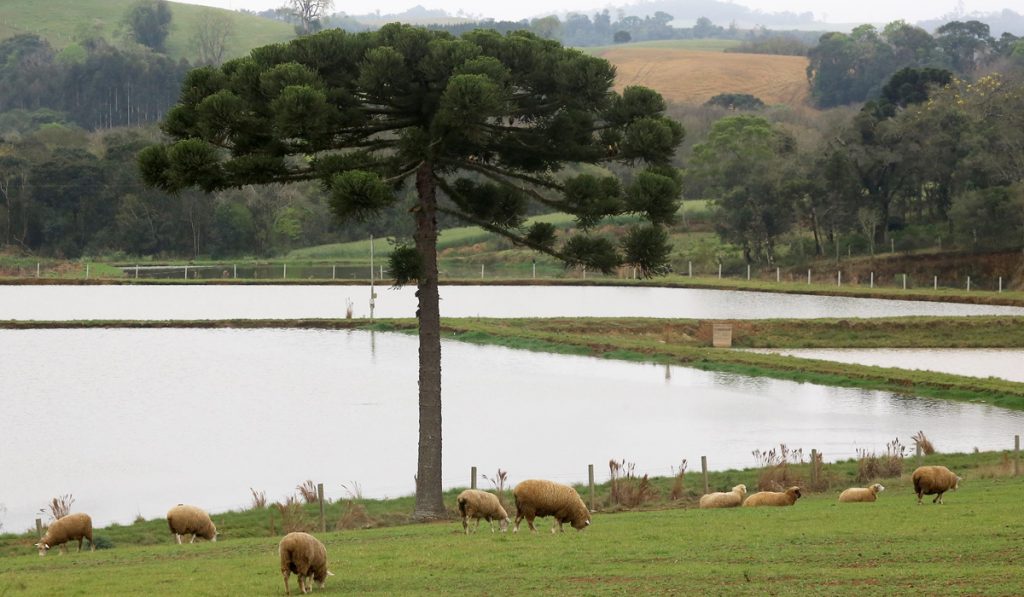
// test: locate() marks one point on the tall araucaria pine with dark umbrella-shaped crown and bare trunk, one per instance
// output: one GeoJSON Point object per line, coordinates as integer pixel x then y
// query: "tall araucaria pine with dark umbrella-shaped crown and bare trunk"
{"type": "Point", "coordinates": [481, 125]}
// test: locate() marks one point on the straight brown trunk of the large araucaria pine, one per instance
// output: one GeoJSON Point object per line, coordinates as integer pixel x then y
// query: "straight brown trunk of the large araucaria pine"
{"type": "Point", "coordinates": [430, 504]}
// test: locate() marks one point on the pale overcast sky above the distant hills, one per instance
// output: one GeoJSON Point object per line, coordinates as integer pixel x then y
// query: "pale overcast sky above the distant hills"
{"type": "Point", "coordinates": [830, 11]}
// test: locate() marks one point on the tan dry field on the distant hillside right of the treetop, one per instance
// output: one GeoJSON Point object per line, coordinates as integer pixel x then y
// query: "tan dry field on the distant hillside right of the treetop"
{"type": "Point", "coordinates": [696, 77]}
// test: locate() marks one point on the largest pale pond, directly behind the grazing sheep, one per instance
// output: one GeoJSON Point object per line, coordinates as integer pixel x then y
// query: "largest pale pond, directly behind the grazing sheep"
{"type": "Point", "coordinates": [134, 421]}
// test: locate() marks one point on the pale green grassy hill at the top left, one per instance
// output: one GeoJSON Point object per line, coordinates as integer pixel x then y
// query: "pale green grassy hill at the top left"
{"type": "Point", "coordinates": [60, 22]}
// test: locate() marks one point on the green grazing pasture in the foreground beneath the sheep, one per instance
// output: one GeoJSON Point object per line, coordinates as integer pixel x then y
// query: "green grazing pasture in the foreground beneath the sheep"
{"type": "Point", "coordinates": [970, 545]}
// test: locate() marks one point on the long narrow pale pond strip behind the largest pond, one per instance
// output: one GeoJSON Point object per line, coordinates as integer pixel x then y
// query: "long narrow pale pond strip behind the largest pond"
{"type": "Point", "coordinates": [275, 303]}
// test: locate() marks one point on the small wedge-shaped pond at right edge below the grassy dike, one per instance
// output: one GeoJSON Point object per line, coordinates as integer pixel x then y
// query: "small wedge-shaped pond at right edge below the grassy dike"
{"type": "Point", "coordinates": [1002, 363]}
